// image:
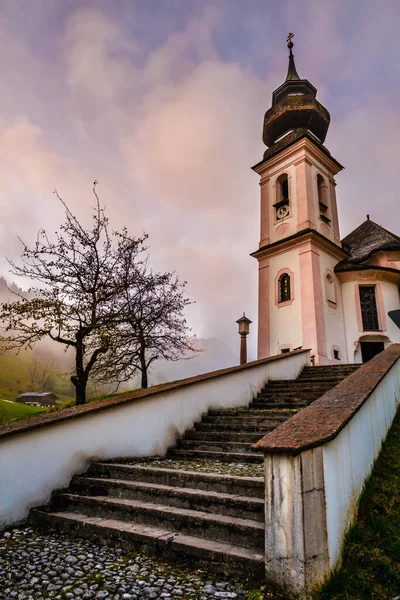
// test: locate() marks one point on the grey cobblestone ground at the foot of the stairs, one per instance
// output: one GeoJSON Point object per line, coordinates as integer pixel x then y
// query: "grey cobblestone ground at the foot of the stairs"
{"type": "Point", "coordinates": [35, 566]}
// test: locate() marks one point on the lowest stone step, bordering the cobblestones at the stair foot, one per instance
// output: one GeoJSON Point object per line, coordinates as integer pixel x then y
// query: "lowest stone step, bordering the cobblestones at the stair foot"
{"type": "Point", "coordinates": [212, 555]}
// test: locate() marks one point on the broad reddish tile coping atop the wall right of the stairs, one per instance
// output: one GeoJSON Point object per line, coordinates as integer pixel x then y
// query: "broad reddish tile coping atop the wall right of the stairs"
{"type": "Point", "coordinates": [326, 417]}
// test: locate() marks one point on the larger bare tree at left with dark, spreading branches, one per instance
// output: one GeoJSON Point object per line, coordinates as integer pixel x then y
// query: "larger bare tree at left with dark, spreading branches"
{"type": "Point", "coordinates": [81, 280]}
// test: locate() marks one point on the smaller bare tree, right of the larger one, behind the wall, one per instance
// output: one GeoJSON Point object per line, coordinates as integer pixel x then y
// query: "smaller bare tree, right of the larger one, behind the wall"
{"type": "Point", "coordinates": [153, 327]}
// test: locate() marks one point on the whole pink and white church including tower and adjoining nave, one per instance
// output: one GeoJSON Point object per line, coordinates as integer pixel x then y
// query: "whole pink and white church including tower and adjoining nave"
{"type": "Point", "coordinates": [315, 290]}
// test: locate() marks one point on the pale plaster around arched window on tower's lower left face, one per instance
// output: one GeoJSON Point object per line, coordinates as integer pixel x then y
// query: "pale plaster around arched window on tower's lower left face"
{"type": "Point", "coordinates": [285, 320]}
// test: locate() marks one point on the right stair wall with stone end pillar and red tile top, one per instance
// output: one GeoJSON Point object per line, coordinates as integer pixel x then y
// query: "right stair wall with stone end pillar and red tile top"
{"type": "Point", "coordinates": [316, 464]}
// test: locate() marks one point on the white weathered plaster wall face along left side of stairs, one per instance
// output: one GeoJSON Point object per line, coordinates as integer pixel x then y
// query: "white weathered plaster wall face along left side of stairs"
{"type": "Point", "coordinates": [33, 463]}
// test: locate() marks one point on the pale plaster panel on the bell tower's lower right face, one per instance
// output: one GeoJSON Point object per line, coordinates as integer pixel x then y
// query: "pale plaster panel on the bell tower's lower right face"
{"type": "Point", "coordinates": [333, 310]}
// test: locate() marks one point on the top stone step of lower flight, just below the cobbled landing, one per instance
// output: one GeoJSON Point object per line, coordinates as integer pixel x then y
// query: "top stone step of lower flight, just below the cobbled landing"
{"type": "Point", "coordinates": [245, 486]}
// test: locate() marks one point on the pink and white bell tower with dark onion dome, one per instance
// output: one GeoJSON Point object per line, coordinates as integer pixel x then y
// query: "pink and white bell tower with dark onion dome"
{"type": "Point", "coordinates": [299, 294]}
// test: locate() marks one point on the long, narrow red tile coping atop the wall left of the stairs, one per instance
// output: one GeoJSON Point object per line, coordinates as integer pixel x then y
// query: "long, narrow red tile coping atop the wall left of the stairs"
{"type": "Point", "coordinates": [74, 412]}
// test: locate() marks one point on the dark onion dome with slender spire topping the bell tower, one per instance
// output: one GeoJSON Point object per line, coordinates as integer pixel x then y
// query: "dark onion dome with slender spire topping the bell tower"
{"type": "Point", "coordinates": [294, 106]}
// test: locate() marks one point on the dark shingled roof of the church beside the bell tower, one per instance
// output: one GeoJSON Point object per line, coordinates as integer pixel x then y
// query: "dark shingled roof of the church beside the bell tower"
{"type": "Point", "coordinates": [364, 241]}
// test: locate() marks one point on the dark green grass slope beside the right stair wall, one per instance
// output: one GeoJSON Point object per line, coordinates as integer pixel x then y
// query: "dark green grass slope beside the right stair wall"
{"type": "Point", "coordinates": [371, 557]}
